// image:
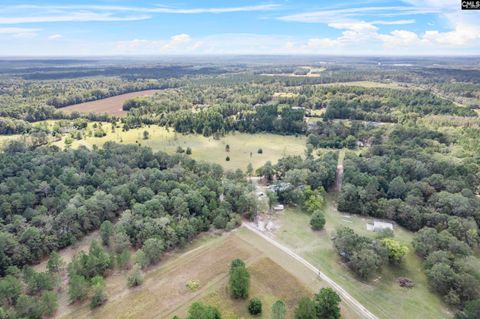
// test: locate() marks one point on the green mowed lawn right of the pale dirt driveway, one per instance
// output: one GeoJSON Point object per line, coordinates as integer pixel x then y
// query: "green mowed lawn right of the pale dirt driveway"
{"type": "Point", "coordinates": [381, 295]}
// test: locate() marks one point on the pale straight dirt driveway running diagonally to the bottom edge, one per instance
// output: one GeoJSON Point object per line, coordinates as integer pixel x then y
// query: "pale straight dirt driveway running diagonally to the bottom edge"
{"type": "Point", "coordinates": [358, 307]}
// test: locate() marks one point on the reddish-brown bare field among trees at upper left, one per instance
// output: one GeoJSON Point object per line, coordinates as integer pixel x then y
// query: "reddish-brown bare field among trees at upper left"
{"type": "Point", "coordinates": [111, 105]}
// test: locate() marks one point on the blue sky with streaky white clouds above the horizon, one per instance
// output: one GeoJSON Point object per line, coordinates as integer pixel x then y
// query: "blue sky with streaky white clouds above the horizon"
{"type": "Point", "coordinates": [125, 27]}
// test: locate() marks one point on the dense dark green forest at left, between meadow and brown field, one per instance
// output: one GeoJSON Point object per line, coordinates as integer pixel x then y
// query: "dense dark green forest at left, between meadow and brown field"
{"type": "Point", "coordinates": [51, 198]}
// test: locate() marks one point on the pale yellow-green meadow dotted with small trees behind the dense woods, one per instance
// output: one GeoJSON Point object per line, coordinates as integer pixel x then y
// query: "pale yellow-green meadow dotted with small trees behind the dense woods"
{"type": "Point", "coordinates": [243, 147]}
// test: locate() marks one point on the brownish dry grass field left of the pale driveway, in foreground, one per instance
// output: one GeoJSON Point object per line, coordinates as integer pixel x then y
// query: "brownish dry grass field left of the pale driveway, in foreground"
{"type": "Point", "coordinates": [164, 292]}
